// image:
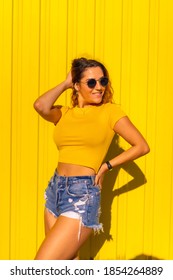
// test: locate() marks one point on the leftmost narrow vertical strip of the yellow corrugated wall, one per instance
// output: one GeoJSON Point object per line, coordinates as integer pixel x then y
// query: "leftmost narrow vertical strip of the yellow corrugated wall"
{"type": "Point", "coordinates": [5, 121]}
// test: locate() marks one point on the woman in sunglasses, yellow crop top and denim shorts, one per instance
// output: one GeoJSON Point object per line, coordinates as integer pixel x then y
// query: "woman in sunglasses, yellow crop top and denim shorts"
{"type": "Point", "coordinates": [82, 134]}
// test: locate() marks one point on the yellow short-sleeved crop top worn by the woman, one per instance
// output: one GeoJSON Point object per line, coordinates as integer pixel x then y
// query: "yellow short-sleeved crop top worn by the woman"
{"type": "Point", "coordinates": [83, 135]}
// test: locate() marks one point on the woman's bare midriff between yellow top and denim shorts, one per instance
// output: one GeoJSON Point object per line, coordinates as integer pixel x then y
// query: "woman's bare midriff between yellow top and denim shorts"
{"type": "Point", "coordinates": [68, 169]}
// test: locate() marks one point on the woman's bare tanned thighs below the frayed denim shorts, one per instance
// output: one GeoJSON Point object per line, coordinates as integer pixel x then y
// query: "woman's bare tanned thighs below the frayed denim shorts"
{"type": "Point", "coordinates": [62, 240]}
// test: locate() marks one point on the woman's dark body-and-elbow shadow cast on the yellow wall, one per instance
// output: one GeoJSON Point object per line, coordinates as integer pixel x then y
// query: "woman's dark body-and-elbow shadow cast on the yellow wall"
{"type": "Point", "coordinates": [94, 244]}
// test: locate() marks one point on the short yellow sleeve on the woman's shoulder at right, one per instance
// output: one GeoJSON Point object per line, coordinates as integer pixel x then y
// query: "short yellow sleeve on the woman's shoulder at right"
{"type": "Point", "coordinates": [115, 113]}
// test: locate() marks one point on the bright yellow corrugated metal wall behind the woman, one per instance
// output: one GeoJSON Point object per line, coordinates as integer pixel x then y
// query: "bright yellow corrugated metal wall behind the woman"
{"type": "Point", "coordinates": [38, 40]}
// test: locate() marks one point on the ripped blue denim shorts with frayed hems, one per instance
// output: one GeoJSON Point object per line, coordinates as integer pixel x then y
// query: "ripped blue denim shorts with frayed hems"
{"type": "Point", "coordinates": [75, 197]}
